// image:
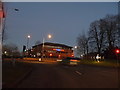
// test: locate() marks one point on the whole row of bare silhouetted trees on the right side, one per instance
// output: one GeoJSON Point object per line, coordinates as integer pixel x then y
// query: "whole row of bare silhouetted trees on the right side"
{"type": "Point", "coordinates": [103, 37]}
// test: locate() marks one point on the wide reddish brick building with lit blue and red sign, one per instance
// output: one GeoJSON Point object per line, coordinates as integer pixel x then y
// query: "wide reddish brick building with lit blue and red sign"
{"type": "Point", "coordinates": [50, 50]}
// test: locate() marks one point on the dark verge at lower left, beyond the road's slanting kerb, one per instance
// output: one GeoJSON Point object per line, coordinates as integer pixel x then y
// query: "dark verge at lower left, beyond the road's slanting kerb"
{"type": "Point", "coordinates": [14, 72]}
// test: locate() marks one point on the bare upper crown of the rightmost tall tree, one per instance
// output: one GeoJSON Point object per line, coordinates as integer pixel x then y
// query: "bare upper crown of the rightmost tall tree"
{"type": "Point", "coordinates": [111, 30]}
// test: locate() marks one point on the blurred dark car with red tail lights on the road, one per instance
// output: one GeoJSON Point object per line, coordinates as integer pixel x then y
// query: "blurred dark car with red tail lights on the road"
{"type": "Point", "coordinates": [70, 61]}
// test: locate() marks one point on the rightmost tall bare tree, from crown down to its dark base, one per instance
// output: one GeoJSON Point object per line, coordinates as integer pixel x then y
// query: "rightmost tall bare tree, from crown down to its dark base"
{"type": "Point", "coordinates": [112, 33]}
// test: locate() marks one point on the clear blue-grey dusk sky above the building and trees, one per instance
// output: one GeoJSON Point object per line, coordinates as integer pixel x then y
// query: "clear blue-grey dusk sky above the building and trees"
{"type": "Point", "coordinates": [64, 20]}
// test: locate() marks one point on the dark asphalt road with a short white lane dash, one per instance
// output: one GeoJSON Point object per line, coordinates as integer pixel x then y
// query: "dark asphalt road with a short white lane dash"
{"type": "Point", "coordinates": [47, 75]}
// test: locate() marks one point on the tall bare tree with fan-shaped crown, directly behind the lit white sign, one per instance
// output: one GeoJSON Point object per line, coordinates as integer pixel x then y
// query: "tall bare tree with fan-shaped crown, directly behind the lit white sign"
{"type": "Point", "coordinates": [96, 35]}
